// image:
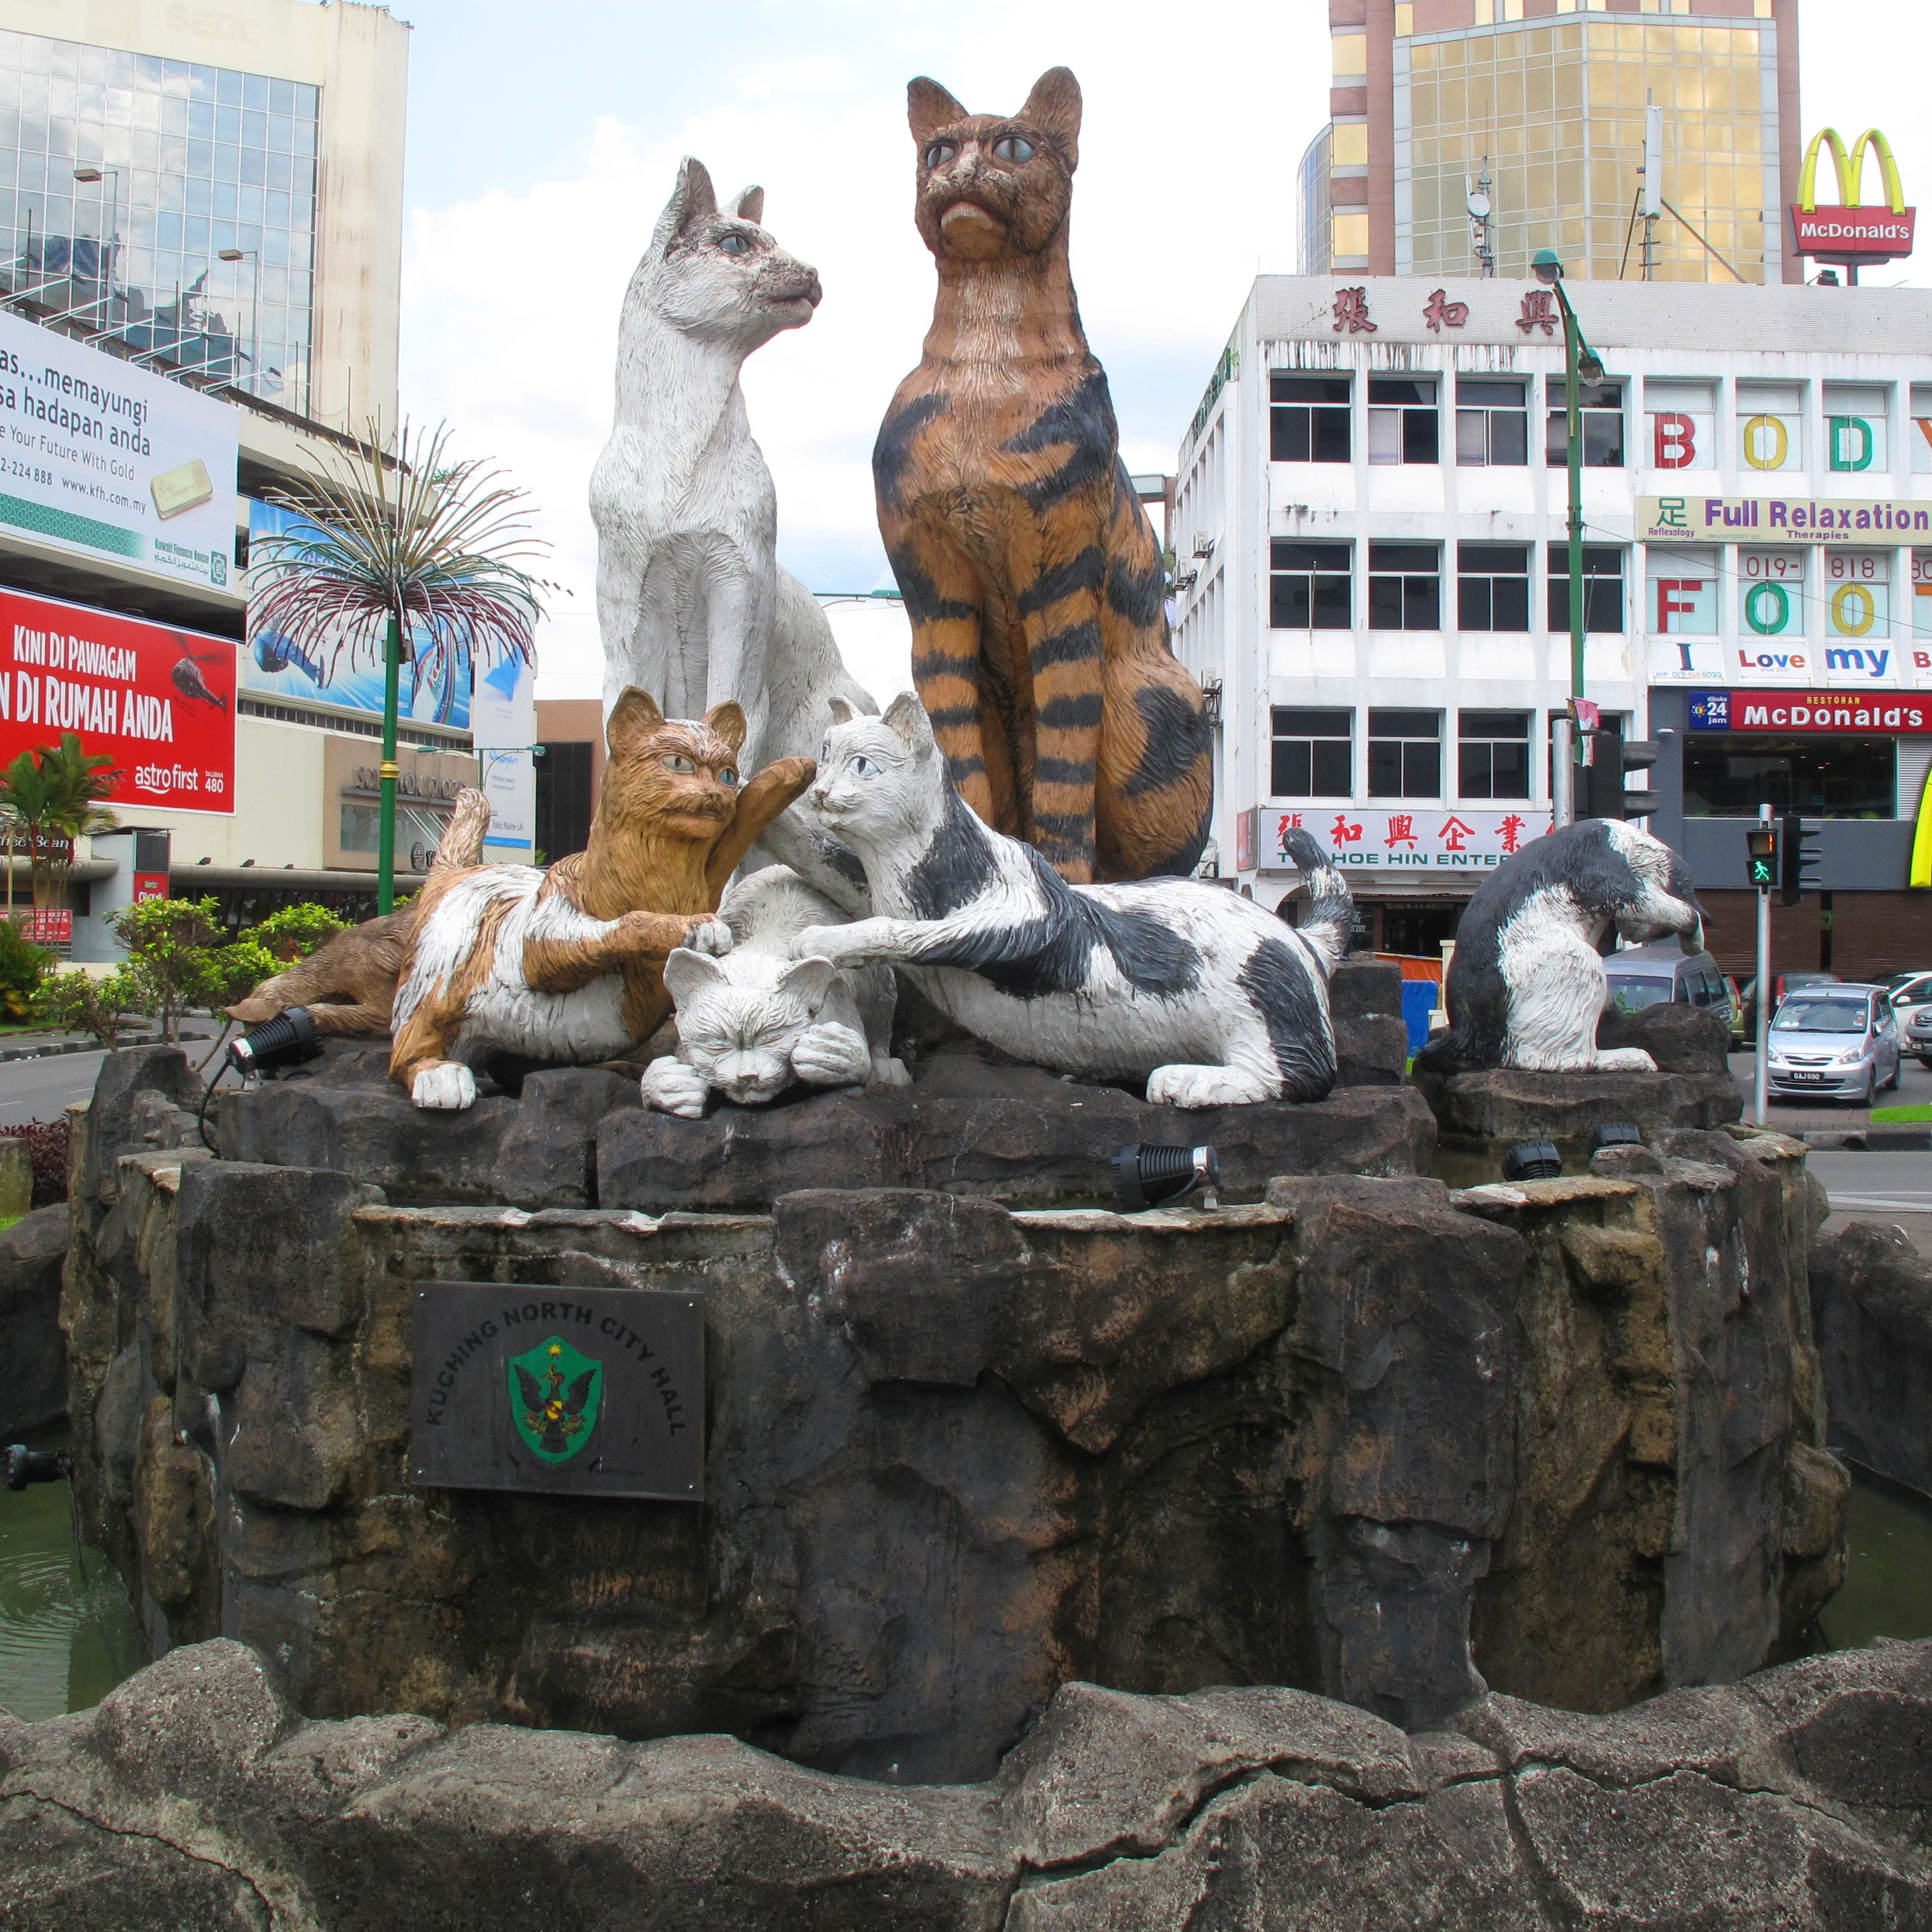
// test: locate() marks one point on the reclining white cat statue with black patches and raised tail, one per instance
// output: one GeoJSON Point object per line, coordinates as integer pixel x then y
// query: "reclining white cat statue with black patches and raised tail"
{"type": "Point", "coordinates": [1189, 986]}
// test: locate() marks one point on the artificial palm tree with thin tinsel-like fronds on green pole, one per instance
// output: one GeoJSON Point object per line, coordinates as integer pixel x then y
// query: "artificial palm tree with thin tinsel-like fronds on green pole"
{"type": "Point", "coordinates": [407, 555]}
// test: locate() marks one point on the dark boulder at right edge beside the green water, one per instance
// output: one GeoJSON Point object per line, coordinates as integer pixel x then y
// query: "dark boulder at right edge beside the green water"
{"type": "Point", "coordinates": [1873, 1305]}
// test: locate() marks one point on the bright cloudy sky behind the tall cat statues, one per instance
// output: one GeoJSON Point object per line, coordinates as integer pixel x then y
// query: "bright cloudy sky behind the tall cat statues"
{"type": "Point", "coordinates": [544, 142]}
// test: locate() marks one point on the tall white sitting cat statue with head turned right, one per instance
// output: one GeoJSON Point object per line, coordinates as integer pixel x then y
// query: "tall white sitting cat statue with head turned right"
{"type": "Point", "coordinates": [691, 602]}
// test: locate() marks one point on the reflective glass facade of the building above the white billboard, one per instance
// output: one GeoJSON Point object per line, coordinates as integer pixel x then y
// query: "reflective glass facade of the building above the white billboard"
{"type": "Point", "coordinates": [188, 163]}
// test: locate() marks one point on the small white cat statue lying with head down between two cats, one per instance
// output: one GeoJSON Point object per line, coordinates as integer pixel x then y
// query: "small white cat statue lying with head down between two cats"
{"type": "Point", "coordinates": [758, 1019]}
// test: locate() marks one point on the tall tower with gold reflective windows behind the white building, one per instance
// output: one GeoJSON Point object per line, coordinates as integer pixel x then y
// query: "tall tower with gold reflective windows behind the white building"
{"type": "Point", "coordinates": [1545, 99]}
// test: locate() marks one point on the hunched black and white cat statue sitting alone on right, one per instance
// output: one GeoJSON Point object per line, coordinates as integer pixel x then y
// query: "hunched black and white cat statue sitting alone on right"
{"type": "Point", "coordinates": [1527, 984]}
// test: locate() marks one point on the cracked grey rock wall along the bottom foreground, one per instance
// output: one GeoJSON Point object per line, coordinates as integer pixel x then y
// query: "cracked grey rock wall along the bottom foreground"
{"type": "Point", "coordinates": [196, 1798]}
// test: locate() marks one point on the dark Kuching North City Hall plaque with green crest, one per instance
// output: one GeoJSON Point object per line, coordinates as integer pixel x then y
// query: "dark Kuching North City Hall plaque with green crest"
{"type": "Point", "coordinates": [569, 1392]}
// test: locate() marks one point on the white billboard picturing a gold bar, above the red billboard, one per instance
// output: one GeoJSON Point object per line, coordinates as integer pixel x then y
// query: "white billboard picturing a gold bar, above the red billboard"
{"type": "Point", "coordinates": [113, 463]}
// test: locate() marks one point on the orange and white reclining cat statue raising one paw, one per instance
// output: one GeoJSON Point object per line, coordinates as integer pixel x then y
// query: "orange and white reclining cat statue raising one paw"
{"type": "Point", "coordinates": [567, 967]}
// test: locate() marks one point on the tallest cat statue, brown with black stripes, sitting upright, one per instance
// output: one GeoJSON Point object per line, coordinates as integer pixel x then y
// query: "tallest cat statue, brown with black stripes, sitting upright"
{"type": "Point", "coordinates": [1029, 569]}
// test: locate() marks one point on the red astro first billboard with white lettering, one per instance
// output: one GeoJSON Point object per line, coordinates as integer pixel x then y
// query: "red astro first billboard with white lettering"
{"type": "Point", "coordinates": [159, 702]}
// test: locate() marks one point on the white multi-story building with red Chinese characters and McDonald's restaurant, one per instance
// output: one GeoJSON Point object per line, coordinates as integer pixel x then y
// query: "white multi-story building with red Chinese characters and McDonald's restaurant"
{"type": "Point", "coordinates": [1371, 530]}
